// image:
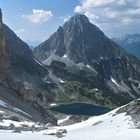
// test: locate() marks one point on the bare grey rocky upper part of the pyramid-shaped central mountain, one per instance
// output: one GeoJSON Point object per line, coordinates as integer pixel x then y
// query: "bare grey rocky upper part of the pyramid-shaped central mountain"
{"type": "Point", "coordinates": [78, 38]}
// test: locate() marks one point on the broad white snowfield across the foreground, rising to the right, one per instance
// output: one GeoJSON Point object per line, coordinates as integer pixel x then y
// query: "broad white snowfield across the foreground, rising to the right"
{"type": "Point", "coordinates": [105, 127]}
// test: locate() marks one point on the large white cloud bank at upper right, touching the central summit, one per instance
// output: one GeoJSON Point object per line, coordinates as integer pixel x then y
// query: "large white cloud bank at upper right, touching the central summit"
{"type": "Point", "coordinates": [110, 12]}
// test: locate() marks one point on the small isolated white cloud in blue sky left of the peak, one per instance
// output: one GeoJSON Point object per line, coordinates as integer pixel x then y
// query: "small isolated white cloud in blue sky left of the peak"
{"type": "Point", "coordinates": [38, 15]}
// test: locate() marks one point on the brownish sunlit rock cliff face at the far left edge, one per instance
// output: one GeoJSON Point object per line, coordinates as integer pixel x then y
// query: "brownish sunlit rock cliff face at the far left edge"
{"type": "Point", "coordinates": [4, 56]}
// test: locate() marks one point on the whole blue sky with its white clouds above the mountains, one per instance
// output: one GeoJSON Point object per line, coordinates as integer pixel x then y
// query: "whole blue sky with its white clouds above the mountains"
{"type": "Point", "coordinates": [35, 20]}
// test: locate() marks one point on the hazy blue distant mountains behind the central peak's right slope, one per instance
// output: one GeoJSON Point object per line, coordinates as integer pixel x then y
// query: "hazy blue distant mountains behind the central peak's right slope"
{"type": "Point", "coordinates": [130, 43]}
